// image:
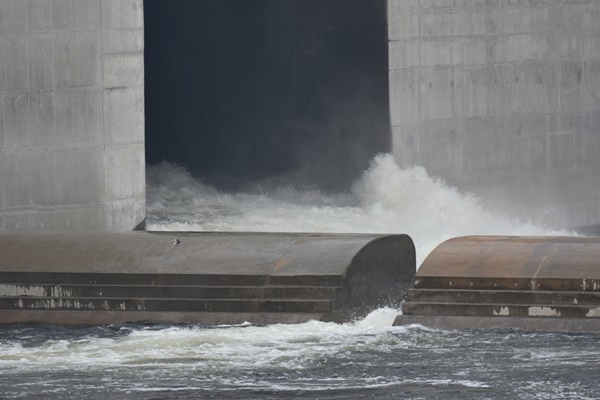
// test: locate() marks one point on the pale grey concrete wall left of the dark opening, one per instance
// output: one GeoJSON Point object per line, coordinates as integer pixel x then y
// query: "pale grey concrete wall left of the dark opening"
{"type": "Point", "coordinates": [71, 114]}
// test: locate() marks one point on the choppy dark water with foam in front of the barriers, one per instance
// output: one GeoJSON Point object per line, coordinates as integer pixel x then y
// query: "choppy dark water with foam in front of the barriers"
{"type": "Point", "coordinates": [314, 360]}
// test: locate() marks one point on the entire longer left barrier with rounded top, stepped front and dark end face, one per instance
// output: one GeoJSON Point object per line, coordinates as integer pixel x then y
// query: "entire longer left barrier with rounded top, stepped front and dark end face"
{"type": "Point", "coordinates": [205, 277]}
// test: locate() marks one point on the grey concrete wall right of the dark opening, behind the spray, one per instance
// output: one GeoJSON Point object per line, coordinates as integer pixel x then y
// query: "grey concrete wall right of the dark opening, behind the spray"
{"type": "Point", "coordinates": [502, 98]}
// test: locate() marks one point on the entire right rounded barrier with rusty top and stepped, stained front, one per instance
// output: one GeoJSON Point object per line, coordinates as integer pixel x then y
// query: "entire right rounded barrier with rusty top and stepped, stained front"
{"type": "Point", "coordinates": [520, 280]}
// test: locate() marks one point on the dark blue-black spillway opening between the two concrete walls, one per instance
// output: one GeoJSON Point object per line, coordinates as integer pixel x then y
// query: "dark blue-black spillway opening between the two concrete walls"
{"type": "Point", "coordinates": [242, 91]}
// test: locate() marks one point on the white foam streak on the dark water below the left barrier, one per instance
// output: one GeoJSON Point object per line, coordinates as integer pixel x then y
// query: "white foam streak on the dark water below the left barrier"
{"type": "Point", "coordinates": [240, 346]}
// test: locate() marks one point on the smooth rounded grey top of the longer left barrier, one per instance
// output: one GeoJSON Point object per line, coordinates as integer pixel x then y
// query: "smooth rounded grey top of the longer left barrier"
{"type": "Point", "coordinates": [197, 252]}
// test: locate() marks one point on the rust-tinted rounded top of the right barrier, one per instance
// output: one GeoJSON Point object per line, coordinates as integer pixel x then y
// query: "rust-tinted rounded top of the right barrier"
{"type": "Point", "coordinates": [500, 262]}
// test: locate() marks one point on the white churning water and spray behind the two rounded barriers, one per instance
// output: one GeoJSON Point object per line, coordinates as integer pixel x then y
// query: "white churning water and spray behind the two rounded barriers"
{"type": "Point", "coordinates": [386, 199]}
